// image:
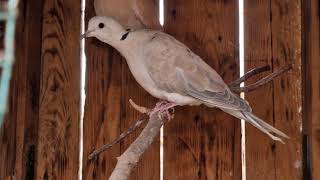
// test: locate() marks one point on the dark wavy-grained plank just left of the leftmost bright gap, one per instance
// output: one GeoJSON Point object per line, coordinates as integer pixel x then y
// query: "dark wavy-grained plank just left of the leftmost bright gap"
{"type": "Point", "coordinates": [59, 104]}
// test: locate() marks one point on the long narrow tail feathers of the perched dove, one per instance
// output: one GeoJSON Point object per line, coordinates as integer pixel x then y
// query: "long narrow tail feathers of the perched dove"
{"type": "Point", "coordinates": [258, 123]}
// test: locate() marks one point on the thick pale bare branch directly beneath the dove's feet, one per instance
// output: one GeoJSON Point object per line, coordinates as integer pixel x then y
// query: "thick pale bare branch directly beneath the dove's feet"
{"type": "Point", "coordinates": [129, 159]}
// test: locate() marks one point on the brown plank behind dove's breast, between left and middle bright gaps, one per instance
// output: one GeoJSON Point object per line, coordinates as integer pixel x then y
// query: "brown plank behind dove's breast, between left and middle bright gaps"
{"type": "Point", "coordinates": [109, 86]}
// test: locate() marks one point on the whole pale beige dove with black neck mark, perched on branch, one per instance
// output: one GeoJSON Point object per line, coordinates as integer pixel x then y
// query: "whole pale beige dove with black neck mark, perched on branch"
{"type": "Point", "coordinates": [170, 71]}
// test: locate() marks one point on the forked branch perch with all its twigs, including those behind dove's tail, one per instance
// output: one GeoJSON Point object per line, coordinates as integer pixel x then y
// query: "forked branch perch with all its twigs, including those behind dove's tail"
{"type": "Point", "coordinates": [128, 160]}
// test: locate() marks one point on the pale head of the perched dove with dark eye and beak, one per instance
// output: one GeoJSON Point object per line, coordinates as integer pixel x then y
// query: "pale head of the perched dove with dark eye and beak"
{"type": "Point", "coordinates": [105, 29]}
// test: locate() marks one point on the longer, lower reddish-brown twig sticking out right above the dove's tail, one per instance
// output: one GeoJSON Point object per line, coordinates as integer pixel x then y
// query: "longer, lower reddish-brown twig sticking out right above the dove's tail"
{"type": "Point", "coordinates": [261, 82]}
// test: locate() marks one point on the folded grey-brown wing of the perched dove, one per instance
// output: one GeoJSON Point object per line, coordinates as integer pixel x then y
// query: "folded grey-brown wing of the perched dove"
{"type": "Point", "coordinates": [175, 68]}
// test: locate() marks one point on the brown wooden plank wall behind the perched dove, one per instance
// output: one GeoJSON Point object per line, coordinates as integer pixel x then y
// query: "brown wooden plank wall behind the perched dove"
{"type": "Point", "coordinates": [40, 138]}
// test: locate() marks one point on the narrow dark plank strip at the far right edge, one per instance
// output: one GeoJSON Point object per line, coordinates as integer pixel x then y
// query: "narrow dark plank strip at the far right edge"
{"type": "Point", "coordinates": [311, 56]}
